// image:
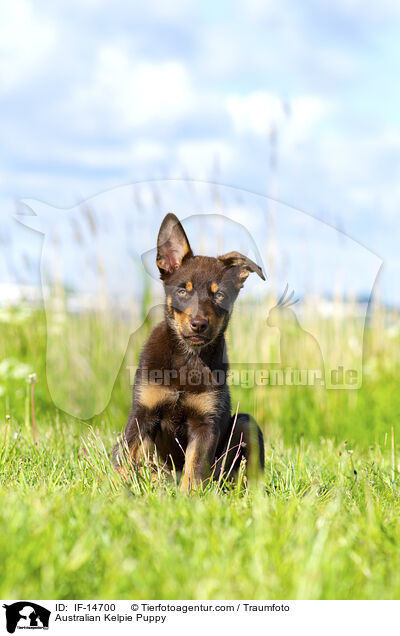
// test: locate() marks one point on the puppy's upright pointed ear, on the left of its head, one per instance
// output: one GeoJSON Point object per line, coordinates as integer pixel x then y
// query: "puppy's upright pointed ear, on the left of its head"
{"type": "Point", "coordinates": [172, 246]}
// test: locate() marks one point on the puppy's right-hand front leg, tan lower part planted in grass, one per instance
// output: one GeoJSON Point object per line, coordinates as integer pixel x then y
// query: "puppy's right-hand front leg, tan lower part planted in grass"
{"type": "Point", "coordinates": [200, 452]}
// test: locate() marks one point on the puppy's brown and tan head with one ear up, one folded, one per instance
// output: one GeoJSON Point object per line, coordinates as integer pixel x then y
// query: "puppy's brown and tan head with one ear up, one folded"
{"type": "Point", "coordinates": [200, 290]}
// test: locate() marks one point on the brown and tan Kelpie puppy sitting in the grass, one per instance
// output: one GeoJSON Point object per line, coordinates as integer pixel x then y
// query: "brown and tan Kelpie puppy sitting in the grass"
{"type": "Point", "coordinates": [181, 402]}
